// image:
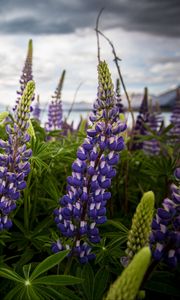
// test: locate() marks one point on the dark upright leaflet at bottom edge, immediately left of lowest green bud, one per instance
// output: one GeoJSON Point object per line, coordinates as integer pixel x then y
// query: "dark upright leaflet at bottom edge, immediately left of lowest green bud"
{"type": "Point", "coordinates": [100, 283]}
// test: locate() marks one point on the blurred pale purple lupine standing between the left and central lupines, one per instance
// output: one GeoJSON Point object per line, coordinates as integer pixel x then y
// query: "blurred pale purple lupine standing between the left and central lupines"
{"type": "Point", "coordinates": [55, 112]}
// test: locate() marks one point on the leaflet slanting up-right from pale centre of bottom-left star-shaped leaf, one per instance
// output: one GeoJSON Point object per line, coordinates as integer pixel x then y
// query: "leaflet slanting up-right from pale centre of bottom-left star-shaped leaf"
{"type": "Point", "coordinates": [48, 263]}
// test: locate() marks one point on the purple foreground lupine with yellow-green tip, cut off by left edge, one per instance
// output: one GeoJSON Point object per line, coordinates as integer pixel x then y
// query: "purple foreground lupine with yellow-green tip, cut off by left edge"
{"type": "Point", "coordinates": [14, 165]}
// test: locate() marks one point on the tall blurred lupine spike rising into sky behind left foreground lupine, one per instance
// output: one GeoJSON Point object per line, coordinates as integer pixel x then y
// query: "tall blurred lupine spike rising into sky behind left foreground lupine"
{"type": "Point", "coordinates": [26, 73]}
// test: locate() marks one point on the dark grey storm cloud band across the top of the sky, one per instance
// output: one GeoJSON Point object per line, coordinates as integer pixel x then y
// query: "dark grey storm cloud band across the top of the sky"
{"type": "Point", "coordinates": [159, 17]}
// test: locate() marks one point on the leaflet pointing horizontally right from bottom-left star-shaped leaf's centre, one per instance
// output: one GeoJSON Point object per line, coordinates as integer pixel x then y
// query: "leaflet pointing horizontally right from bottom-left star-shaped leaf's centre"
{"type": "Point", "coordinates": [58, 280]}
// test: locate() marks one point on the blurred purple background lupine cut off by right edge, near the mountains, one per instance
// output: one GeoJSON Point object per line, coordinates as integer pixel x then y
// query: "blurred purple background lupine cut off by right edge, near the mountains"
{"type": "Point", "coordinates": [175, 119]}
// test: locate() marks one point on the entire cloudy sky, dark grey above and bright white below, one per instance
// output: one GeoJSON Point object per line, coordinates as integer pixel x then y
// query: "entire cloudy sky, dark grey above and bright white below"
{"type": "Point", "coordinates": [146, 35]}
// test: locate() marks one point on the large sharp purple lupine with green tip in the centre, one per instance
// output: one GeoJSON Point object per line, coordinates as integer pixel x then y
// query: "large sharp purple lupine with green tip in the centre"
{"type": "Point", "coordinates": [83, 208]}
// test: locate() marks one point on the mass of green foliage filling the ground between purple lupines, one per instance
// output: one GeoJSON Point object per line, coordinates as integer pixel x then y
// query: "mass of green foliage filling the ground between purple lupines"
{"type": "Point", "coordinates": [28, 270]}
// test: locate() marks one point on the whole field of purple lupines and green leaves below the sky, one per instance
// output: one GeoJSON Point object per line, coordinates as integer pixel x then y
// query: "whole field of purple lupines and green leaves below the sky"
{"type": "Point", "coordinates": [91, 212]}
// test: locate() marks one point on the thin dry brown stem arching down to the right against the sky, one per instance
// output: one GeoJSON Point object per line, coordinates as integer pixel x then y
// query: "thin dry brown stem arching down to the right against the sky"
{"type": "Point", "coordinates": [116, 59]}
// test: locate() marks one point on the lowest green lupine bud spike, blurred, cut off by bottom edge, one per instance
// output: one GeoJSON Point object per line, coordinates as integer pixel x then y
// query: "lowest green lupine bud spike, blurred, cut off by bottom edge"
{"type": "Point", "coordinates": [127, 285]}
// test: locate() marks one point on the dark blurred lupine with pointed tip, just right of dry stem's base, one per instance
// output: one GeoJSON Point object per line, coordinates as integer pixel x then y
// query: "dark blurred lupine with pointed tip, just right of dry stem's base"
{"type": "Point", "coordinates": [142, 118]}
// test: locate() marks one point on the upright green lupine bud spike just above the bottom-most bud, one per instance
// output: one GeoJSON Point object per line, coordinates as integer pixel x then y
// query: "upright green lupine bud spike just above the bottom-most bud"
{"type": "Point", "coordinates": [139, 233]}
